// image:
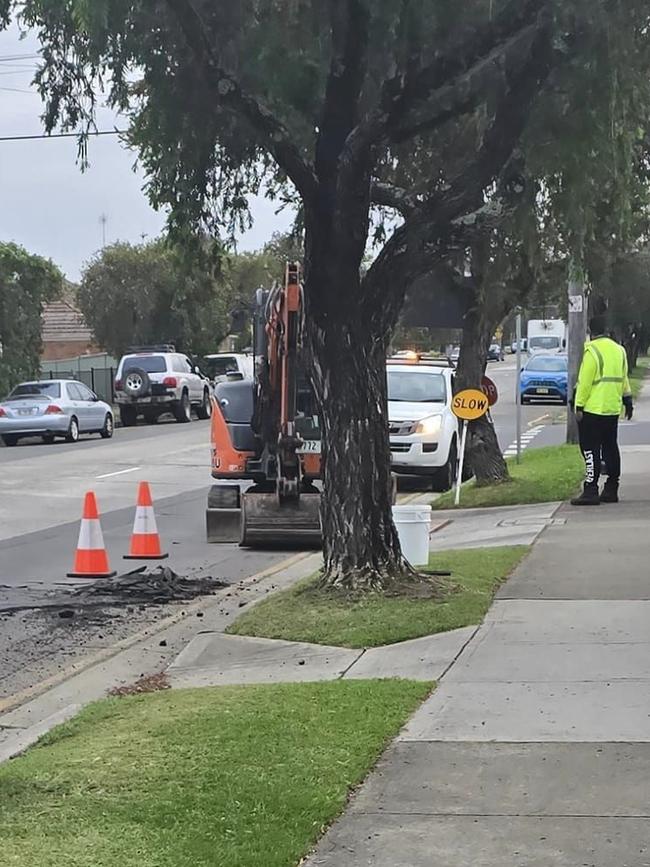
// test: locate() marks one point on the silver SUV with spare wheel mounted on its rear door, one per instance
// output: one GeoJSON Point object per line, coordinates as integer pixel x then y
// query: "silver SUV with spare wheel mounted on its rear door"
{"type": "Point", "coordinates": [153, 380]}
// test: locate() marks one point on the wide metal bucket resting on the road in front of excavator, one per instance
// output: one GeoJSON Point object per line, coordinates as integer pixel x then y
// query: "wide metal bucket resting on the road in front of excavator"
{"type": "Point", "coordinates": [266, 521]}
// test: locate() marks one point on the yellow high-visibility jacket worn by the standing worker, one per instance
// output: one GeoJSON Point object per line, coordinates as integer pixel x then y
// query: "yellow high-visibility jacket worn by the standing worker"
{"type": "Point", "coordinates": [603, 379]}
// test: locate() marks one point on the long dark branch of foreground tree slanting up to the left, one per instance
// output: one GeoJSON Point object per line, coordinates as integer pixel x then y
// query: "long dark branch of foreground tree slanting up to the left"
{"type": "Point", "coordinates": [268, 128]}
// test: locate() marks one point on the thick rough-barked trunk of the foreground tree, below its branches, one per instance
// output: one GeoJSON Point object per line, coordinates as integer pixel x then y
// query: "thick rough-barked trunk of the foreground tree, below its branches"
{"type": "Point", "coordinates": [347, 345]}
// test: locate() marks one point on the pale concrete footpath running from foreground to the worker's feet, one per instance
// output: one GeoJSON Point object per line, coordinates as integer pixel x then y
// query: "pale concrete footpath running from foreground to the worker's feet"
{"type": "Point", "coordinates": [535, 748]}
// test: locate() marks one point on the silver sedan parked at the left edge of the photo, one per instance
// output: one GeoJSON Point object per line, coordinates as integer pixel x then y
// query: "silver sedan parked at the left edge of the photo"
{"type": "Point", "coordinates": [53, 408]}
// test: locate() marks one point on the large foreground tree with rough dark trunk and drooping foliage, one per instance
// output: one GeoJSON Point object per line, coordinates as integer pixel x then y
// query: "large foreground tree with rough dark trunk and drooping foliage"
{"type": "Point", "coordinates": [318, 99]}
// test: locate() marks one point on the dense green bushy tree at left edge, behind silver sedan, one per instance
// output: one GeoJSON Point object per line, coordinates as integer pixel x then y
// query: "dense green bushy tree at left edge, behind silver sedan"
{"type": "Point", "coordinates": [27, 283]}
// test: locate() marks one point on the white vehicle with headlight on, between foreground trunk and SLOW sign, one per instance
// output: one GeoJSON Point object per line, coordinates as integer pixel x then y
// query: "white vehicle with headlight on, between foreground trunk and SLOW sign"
{"type": "Point", "coordinates": [423, 429]}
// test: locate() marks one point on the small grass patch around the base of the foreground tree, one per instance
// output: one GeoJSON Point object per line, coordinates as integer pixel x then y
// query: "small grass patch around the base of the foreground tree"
{"type": "Point", "coordinates": [304, 614]}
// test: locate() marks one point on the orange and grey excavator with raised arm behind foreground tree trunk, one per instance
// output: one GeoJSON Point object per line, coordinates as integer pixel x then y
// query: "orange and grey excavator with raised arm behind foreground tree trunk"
{"type": "Point", "coordinates": [266, 432]}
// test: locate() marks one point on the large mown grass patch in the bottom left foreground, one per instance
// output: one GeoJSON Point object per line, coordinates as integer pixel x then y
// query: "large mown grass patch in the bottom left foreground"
{"type": "Point", "coordinates": [236, 776]}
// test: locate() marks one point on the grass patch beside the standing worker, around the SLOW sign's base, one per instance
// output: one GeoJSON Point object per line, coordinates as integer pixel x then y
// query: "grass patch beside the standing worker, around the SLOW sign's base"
{"type": "Point", "coordinates": [544, 475]}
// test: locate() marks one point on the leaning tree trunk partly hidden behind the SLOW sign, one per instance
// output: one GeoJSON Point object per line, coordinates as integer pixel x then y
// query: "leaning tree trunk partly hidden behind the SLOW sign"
{"type": "Point", "coordinates": [484, 457]}
